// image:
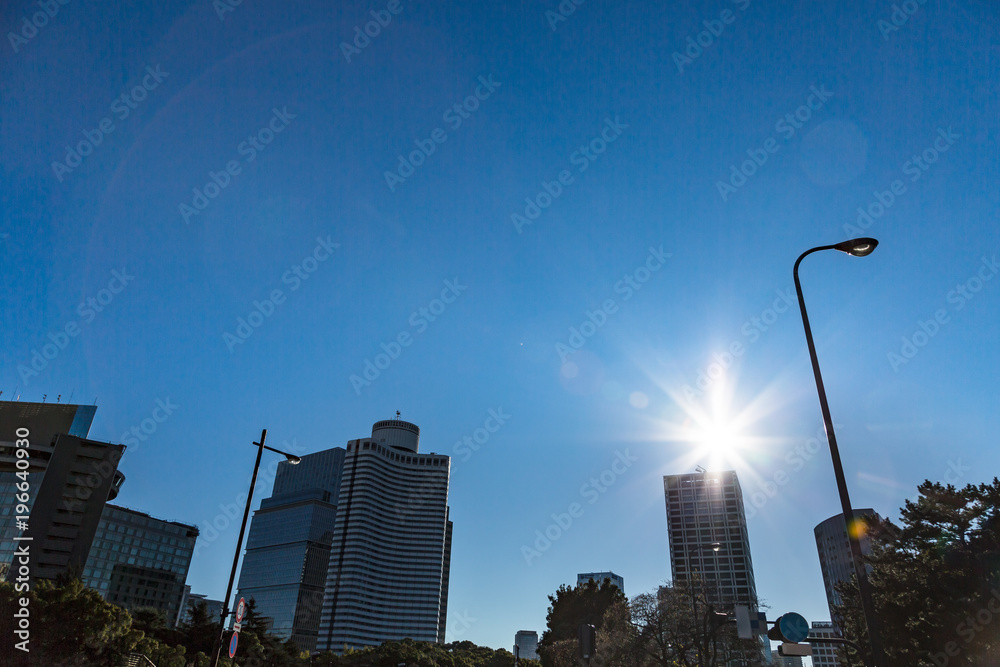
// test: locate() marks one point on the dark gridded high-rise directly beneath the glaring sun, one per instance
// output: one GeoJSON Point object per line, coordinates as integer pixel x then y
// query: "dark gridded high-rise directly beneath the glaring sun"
{"type": "Point", "coordinates": [707, 534]}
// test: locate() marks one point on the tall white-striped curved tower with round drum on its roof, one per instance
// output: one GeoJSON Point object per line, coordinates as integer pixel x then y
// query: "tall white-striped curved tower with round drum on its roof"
{"type": "Point", "coordinates": [391, 553]}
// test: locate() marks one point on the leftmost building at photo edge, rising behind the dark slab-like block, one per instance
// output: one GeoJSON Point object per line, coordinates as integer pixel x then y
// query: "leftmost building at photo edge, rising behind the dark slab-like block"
{"type": "Point", "coordinates": [43, 422]}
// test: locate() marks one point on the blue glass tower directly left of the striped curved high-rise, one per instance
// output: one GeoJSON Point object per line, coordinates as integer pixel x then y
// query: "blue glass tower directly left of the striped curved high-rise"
{"type": "Point", "coordinates": [288, 550]}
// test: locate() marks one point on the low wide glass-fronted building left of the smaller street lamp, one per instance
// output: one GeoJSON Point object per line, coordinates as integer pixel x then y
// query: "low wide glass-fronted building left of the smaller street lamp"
{"type": "Point", "coordinates": [139, 561]}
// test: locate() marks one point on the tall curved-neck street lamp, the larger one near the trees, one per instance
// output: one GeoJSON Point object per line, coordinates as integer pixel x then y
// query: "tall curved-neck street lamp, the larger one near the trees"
{"type": "Point", "coordinates": [861, 247]}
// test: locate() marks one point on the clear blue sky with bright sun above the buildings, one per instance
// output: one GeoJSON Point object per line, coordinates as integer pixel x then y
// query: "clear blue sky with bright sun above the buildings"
{"type": "Point", "coordinates": [641, 138]}
